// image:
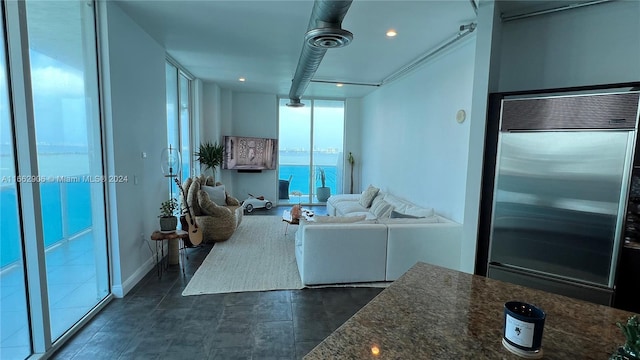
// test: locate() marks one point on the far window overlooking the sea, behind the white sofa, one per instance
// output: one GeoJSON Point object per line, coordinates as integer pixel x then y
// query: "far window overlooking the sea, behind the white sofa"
{"type": "Point", "coordinates": [310, 138]}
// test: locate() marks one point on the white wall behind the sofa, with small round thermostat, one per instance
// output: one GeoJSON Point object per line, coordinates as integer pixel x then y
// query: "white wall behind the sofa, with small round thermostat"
{"type": "Point", "coordinates": [412, 145]}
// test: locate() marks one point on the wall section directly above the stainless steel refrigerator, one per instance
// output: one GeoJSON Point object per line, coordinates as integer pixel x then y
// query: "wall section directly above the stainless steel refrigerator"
{"type": "Point", "coordinates": [597, 44]}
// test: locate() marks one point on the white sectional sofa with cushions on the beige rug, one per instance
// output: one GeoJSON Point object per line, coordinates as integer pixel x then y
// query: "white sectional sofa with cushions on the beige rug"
{"type": "Point", "coordinates": [375, 243]}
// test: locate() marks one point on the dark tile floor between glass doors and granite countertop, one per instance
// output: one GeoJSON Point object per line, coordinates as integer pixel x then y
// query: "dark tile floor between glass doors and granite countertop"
{"type": "Point", "coordinates": [154, 321]}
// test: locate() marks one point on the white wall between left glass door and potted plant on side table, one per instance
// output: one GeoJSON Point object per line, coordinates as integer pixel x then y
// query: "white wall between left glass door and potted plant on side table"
{"type": "Point", "coordinates": [135, 123]}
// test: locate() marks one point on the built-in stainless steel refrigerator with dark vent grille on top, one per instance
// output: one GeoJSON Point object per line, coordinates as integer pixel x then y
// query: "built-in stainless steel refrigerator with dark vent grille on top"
{"type": "Point", "coordinates": [560, 190]}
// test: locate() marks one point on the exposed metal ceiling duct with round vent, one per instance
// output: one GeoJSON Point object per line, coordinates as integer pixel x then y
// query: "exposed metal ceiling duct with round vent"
{"type": "Point", "coordinates": [324, 32]}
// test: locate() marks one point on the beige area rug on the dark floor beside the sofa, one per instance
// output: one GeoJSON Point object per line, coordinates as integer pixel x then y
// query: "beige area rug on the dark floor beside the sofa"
{"type": "Point", "coordinates": [258, 257]}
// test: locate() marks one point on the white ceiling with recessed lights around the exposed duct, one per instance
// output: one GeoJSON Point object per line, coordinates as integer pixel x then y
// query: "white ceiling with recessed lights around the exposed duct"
{"type": "Point", "coordinates": [221, 41]}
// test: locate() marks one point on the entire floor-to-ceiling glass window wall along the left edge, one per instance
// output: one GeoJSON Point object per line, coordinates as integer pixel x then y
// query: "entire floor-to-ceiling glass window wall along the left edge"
{"type": "Point", "coordinates": [59, 183]}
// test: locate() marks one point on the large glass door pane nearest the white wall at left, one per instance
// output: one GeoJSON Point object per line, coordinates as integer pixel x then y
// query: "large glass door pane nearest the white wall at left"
{"type": "Point", "coordinates": [64, 84]}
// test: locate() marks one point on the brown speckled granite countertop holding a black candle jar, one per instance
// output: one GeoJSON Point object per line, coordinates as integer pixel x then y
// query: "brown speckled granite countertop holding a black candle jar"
{"type": "Point", "coordinates": [436, 313]}
